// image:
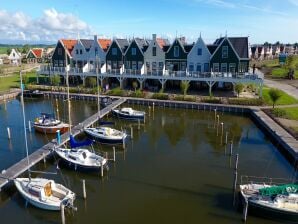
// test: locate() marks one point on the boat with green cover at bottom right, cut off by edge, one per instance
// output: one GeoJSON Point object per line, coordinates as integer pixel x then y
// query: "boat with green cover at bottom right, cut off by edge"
{"type": "Point", "coordinates": [274, 201]}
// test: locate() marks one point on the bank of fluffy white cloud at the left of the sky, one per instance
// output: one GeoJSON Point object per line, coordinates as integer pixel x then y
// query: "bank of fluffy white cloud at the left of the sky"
{"type": "Point", "coordinates": [51, 26]}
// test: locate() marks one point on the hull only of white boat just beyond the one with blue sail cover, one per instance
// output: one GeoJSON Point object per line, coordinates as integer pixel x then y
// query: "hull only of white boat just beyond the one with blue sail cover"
{"type": "Point", "coordinates": [106, 135]}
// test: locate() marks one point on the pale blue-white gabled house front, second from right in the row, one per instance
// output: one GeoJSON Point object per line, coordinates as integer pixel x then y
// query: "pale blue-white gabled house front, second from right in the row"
{"type": "Point", "coordinates": [198, 59]}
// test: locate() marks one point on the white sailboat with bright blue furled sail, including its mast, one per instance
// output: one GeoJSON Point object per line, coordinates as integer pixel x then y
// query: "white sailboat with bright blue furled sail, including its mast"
{"type": "Point", "coordinates": [77, 157]}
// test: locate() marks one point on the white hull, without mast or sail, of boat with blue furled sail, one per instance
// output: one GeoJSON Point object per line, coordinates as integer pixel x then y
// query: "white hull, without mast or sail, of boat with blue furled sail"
{"type": "Point", "coordinates": [81, 159]}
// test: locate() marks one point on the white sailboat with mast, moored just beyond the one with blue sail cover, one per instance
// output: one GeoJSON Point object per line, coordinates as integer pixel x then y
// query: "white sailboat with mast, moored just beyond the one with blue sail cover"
{"type": "Point", "coordinates": [104, 134]}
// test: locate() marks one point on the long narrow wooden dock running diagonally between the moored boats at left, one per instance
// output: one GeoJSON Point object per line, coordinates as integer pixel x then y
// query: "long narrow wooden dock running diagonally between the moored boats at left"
{"type": "Point", "coordinates": [17, 169]}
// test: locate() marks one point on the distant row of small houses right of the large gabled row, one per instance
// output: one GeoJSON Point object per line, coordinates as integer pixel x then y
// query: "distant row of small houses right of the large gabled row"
{"type": "Point", "coordinates": [269, 51]}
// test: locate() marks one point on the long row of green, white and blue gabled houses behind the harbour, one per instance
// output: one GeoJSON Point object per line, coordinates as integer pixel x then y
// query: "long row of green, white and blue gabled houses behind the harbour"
{"type": "Point", "coordinates": [154, 56]}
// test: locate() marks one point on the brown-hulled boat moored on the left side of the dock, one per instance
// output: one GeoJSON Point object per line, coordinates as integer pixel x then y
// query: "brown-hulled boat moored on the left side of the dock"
{"type": "Point", "coordinates": [47, 123]}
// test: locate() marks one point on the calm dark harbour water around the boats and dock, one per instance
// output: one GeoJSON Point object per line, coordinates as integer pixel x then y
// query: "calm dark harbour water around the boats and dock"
{"type": "Point", "coordinates": [175, 170]}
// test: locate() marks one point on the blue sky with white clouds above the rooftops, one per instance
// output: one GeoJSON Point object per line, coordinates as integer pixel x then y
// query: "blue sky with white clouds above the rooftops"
{"type": "Point", "coordinates": [38, 21]}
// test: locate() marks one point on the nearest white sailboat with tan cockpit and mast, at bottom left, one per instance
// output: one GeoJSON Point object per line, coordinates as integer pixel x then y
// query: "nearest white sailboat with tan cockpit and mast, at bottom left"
{"type": "Point", "coordinates": [40, 192]}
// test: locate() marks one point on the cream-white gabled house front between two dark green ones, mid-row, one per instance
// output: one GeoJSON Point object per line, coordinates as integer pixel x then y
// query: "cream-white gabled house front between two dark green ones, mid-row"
{"type": "Point", "coordinates": [154, 57]}
